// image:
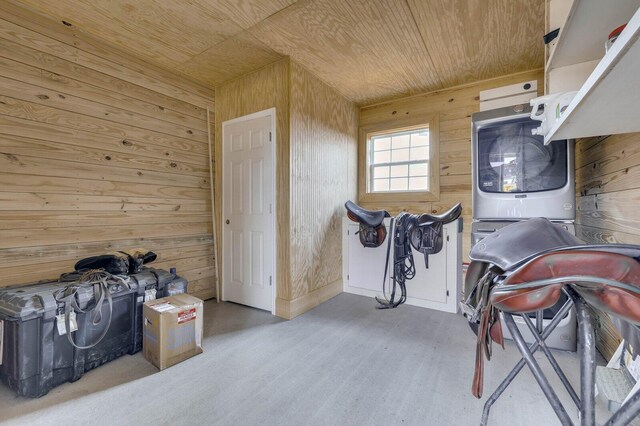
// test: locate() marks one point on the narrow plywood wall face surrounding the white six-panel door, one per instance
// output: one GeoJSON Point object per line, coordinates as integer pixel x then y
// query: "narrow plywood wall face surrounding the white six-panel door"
{"type": "Point", "coordinates": [263, 89]}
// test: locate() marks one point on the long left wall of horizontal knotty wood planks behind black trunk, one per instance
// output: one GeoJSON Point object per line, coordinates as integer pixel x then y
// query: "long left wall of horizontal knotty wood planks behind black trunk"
{"type": "Point", "coordinates": [98, 152]}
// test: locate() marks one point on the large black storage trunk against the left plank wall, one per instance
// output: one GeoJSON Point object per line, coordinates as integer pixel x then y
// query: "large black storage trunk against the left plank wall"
{"type": "Point", "coordinates": [36, 357]}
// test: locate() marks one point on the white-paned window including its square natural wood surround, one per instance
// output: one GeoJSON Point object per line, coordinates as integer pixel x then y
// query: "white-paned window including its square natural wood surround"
{"type": "Point", "coordinates": [398, 161]}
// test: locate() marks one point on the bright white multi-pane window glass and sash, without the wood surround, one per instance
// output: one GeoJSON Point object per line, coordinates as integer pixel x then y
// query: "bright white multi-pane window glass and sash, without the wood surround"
{"type": "Point", "coordinates": [399, 161]}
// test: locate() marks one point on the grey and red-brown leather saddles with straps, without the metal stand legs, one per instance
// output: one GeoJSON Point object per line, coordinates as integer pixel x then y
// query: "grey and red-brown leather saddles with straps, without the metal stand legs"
{"type": "Point", "coordinates": [525, 267]}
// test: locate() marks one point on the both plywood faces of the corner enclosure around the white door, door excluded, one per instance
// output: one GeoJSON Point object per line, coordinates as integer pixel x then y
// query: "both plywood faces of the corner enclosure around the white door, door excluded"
{"type": "Point", "coordinates": [316, 173]}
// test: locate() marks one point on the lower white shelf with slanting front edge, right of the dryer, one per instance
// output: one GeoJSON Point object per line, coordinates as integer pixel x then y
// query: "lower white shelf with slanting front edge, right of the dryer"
{"type": "Point", "coordinates": [607, 103]}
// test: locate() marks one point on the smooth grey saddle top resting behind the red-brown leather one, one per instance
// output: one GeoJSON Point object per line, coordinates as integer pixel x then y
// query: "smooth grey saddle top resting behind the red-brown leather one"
{"type": "Point", "coordinates": [516, 243]}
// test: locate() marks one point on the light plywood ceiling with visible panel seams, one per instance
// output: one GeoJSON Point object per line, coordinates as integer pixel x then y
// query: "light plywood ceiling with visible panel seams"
{"type": "Point", "coordinates": [369, 50]}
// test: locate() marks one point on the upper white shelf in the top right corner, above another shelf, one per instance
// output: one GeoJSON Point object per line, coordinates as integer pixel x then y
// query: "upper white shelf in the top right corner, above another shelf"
{"type": "Point", "coordinates": [583, 36]}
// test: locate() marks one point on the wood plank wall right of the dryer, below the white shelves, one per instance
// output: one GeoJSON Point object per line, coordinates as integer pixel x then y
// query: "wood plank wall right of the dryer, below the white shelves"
{"type": "Point", "coordinates": [607, 197]}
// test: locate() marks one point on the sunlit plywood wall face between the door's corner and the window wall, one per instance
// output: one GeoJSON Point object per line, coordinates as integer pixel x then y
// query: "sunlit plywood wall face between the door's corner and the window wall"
{"type": "Point", "coordinates": [323, 159]}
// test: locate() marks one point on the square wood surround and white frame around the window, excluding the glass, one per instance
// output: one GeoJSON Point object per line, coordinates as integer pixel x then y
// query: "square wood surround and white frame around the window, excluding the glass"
{"type": "Point", "coordinates": [365, 194]}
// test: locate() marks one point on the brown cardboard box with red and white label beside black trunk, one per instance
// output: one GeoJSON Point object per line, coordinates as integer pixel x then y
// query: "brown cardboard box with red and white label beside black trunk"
{"type": "Point", "coordinates": [172, 329]}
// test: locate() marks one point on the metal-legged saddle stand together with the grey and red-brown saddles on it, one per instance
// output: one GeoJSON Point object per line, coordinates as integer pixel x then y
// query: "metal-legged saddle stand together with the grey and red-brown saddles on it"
{"type": "Point", "coordinates": [526, 269]}
